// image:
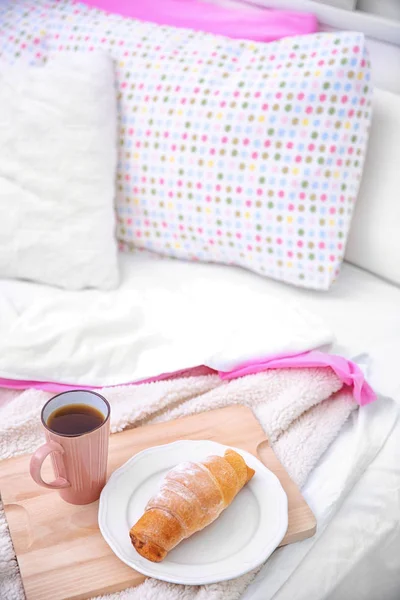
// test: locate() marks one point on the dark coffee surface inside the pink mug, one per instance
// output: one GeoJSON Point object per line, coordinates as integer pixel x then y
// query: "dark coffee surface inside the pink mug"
{"type": "Point", "coordinates": [75, 419]}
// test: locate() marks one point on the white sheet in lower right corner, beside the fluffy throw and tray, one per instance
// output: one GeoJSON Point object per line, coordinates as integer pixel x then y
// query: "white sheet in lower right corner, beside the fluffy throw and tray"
{"type": "Point", "coordinates": [355, 495]}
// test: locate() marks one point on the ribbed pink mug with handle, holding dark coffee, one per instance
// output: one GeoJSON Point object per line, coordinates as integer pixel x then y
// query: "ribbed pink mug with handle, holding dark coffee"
{"type": "Point", "coordinates": [79, 459]}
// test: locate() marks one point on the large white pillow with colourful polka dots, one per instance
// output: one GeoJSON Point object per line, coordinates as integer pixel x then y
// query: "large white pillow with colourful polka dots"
{"type": "Point", "coordinates": [234, 152]}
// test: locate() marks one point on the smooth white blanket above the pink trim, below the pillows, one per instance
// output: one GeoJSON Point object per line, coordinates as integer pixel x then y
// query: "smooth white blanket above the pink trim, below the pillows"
{"type": "Point", "coordinates": [166, 316]}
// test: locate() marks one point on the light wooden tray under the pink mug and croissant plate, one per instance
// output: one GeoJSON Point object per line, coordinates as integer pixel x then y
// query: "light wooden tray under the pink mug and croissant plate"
{"type": "Point", "coordinates": [59, 547]}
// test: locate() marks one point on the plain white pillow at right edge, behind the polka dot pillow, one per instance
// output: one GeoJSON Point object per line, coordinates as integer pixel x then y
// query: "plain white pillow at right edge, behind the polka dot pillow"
{"type": "Point", "coordinates": [374, 240]}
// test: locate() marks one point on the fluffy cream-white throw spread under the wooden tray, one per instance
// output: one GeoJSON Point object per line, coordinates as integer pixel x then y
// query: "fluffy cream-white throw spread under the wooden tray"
{"type": "Point", "coordinates": [301, 411]}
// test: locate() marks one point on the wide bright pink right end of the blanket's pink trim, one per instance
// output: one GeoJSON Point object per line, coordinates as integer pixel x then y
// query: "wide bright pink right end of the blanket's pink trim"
{"type": "Point", "coordinates": [346, 370]}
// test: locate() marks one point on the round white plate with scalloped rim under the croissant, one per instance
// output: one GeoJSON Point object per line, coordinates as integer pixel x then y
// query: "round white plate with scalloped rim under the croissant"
{"type": "Point", "coordinates": [242, 537]}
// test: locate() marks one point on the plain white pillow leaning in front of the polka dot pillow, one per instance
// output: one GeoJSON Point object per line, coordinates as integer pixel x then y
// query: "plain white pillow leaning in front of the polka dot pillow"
{"type": "Point", "coordinates": [58, 156]}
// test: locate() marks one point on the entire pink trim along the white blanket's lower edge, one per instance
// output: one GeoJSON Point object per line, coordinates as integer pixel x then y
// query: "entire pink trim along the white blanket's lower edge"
{"type": "Point", "coordinates": [346, 370]}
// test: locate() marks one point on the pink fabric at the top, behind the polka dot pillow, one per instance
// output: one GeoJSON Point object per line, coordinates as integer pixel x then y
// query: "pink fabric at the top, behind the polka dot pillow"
{"type": "Point", "coordinates": [249, 24]}
